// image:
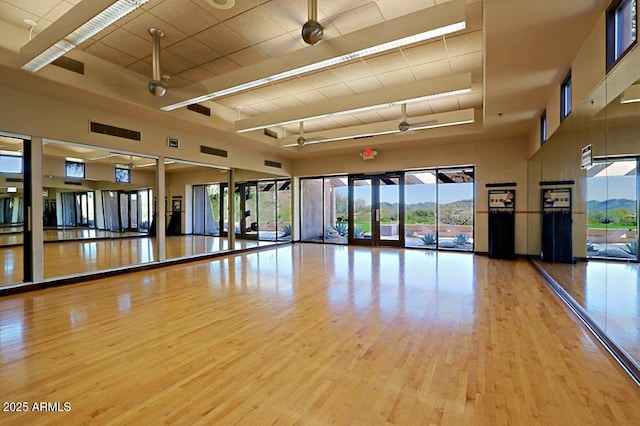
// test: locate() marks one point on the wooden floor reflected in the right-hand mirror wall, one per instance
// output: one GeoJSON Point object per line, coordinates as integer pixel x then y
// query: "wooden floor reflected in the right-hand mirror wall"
{"type": "Point", "coordinates": [608, 292]}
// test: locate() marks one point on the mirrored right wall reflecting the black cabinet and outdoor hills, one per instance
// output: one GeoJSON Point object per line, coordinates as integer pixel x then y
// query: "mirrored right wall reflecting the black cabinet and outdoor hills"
{"type": "Point", "coordinates": [583, 195]}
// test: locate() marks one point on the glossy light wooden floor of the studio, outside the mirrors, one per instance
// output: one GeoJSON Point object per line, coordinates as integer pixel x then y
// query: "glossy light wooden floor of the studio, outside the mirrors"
{"type": "Point", "coordinates": [310, 334]}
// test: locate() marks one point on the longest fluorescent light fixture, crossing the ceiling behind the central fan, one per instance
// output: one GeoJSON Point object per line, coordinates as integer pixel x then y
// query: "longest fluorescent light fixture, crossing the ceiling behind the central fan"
{"type": "Point", "coordinates": [449, 10]}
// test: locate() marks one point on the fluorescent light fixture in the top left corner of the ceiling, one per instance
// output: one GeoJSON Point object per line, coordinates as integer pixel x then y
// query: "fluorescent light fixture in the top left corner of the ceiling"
{"type": "Point", "coordinates": [83, 21]}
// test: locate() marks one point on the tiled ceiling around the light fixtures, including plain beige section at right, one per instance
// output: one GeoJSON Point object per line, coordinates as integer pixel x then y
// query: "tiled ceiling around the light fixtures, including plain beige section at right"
{"type": "Point", "coordinates": [515, 51]}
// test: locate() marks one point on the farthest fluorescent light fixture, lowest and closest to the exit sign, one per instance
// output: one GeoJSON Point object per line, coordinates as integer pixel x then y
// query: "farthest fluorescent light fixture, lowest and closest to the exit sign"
{"type": "Point", "coordinates": [445, 119]}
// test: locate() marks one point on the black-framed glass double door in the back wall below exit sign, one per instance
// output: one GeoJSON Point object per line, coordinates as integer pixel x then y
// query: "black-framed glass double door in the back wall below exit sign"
{"type": "Point", "coordinates": [376, 217]}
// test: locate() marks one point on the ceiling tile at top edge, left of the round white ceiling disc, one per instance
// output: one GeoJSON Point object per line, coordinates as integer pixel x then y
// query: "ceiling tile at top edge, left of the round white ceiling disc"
{"type": "Point", "coordinates": [185, 15]}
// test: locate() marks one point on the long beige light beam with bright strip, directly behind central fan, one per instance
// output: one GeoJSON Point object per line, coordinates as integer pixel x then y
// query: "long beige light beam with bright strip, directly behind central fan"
{"type": "Point", "coordinates": [429, 23]}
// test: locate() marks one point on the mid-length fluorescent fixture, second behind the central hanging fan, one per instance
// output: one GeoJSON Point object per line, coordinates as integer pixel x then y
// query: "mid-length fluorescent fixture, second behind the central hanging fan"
{"type": "Point", "coordinates": [408, 93]}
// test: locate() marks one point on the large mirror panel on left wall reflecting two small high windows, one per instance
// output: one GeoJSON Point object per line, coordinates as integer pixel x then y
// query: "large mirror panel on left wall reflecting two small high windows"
{"type": "Point", "coordinates": [98, 209]}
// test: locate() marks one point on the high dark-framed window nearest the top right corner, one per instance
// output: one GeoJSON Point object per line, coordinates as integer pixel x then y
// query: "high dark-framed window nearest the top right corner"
{"type": "Point", "coordinates": [622, 24]}
